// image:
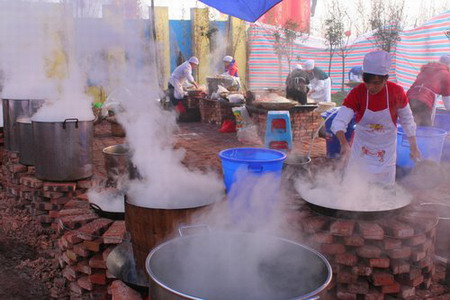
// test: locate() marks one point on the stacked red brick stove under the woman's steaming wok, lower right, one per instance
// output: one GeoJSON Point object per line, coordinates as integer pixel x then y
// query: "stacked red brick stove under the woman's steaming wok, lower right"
{"type": "Point", "coordinates": [374, 259]}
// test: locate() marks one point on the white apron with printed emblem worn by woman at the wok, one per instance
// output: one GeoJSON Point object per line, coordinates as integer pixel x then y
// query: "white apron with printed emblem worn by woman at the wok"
{"type": "Point", "coordinates": [374, 145]}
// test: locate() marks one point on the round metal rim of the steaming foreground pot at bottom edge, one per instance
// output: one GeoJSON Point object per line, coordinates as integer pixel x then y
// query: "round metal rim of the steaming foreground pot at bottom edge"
{"type": "Point", "coordinates": [303, 297]}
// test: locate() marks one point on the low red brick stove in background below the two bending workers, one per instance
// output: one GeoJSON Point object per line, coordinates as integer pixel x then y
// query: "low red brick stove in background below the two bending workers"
{"type": "Point", "coordinates": [215, 112]}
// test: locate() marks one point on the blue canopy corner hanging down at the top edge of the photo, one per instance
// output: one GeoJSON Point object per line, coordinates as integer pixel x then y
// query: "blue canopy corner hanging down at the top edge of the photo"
{"type": "Point", "coordinates": [248, 10]}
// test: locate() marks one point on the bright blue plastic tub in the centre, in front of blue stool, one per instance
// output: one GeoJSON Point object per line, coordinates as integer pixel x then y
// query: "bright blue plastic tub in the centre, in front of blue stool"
{"type": "Point", "coordinates": [255, 161]}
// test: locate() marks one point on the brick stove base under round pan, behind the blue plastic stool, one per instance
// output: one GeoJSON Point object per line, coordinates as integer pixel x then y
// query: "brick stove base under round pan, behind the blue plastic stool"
{"type": "Point", "coordinates": [303, 123]}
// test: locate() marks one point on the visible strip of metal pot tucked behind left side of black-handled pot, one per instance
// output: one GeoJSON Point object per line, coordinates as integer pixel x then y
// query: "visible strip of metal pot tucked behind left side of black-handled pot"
{"type": "Point", "coordinates": [26, 144]}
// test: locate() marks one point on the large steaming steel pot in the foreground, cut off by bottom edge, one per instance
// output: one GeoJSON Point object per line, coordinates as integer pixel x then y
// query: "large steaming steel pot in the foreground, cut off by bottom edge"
{"type": "Point", "coordinates": [235, 266]}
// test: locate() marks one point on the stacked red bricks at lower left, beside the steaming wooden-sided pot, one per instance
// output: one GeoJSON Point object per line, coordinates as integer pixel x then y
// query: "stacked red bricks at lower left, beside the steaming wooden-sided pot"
{"type": "Point", "coordinates": [83, 247]}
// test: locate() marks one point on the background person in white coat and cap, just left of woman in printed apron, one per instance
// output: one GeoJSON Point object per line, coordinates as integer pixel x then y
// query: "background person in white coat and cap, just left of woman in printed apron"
{"type": "Point", "coordinates": [320, 83]}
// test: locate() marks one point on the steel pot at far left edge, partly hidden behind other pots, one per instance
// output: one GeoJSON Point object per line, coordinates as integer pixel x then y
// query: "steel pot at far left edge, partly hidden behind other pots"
{"type": "Point", "coordinates": [12, 110]}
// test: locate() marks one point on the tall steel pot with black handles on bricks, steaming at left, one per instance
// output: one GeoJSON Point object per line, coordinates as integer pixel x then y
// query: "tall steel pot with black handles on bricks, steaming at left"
{"type": "Point", "coordinates": [63, 150]}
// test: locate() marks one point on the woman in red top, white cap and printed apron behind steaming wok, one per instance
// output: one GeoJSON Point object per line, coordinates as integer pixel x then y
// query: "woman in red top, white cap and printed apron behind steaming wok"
{"type": "Point", "coordinates": [377, 104]}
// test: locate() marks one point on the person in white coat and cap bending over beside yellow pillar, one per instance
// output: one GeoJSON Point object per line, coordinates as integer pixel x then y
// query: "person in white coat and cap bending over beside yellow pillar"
{"type": "Point", "coordinates": [179, 76]}
